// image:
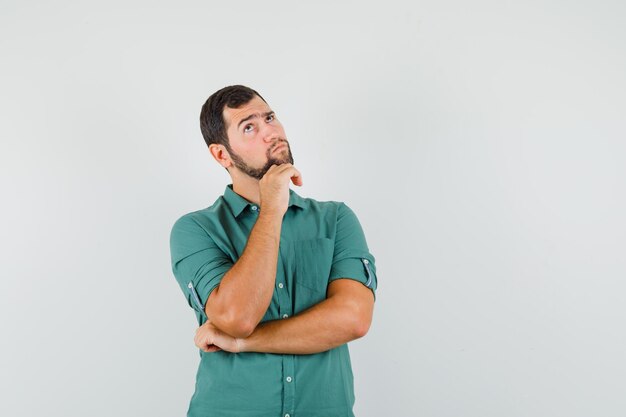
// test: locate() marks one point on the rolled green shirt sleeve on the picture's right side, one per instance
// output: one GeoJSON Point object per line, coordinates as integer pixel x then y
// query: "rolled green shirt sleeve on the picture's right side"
{"type": "Point", "coordinates": [352, 258]}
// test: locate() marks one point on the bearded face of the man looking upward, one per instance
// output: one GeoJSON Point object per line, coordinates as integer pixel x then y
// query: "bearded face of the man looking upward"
{"type": "Point", "coordinates": [257, 139]}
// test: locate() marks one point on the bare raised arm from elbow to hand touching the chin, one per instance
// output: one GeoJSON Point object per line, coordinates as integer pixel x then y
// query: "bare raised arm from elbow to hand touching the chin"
{"type": "Point", "coordinates": [245, 292]}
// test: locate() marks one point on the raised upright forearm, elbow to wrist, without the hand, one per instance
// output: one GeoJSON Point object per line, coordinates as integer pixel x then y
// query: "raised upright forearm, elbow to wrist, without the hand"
{"type": "Point", "coordinates": [238, 304]}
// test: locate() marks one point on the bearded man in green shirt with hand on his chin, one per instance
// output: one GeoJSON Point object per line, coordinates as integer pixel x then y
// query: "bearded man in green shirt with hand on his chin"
{"type": "Point", "coordinates": [279, 283]}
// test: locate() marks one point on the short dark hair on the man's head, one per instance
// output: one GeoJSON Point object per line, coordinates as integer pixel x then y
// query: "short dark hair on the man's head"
{"type": "Point", "coordinates": [212, 123]}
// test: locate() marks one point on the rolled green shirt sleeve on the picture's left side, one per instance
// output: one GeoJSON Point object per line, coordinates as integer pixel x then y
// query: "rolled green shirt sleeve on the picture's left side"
{"type": "Point", "coordinates": [197, 262]}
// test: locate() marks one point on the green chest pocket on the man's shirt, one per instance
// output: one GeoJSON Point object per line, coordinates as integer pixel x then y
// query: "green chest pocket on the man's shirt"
{"type": "Point", "coordinates": [313, 260]}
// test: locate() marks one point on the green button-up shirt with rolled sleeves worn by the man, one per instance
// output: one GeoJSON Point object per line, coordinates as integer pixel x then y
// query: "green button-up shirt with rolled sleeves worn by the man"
{"type": "Point", "coordinates": [319, 242]}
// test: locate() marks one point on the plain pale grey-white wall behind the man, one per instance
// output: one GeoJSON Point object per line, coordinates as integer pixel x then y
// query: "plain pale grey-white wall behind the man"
{"type": "Point", "coordinates": [481, 145]}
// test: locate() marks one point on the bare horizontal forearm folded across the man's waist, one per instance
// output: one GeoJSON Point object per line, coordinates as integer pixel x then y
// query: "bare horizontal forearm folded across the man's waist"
{"type": "Point", "coordinates": [324, 326]}
